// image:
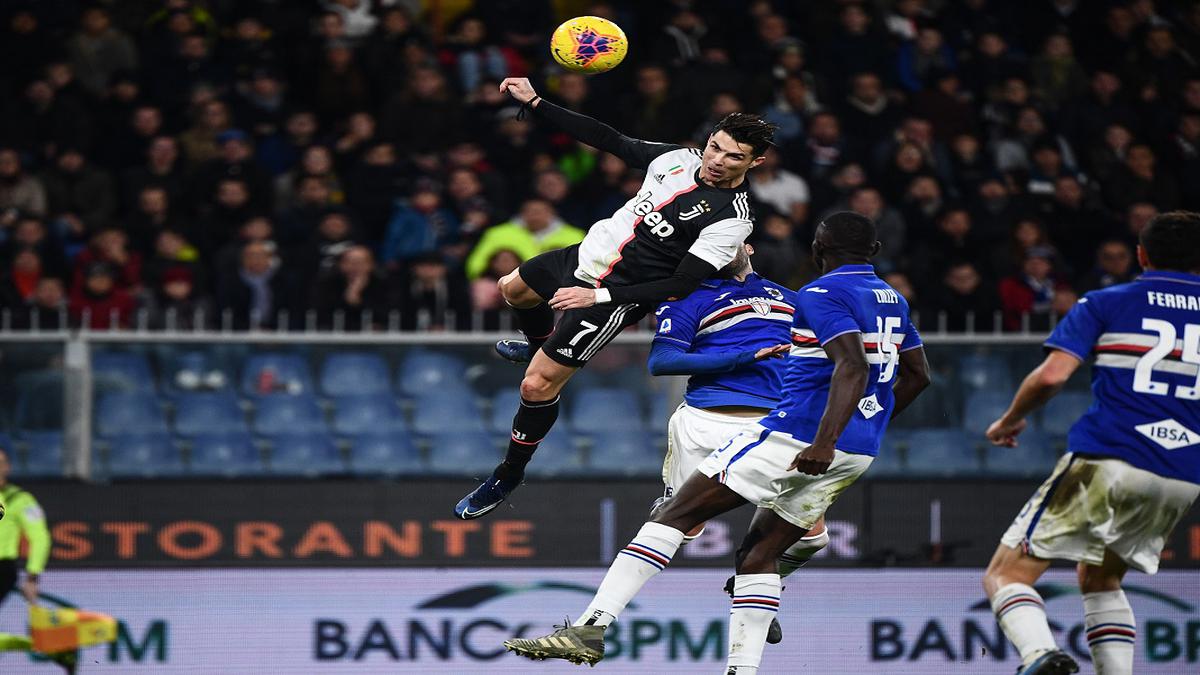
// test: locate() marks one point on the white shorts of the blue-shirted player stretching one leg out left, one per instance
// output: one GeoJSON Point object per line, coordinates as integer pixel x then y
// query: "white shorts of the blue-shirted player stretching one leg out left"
{"type": "Point", "coordinates": [755, 464]}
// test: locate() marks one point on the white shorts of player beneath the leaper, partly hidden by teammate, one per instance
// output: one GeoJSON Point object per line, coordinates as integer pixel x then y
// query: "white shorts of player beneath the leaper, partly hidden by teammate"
{"type": "Point", "coordinates": [693, 434]}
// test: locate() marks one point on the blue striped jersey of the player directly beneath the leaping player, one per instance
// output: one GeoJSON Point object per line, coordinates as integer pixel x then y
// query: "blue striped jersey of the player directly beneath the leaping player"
{"type": "Point", "coordinates": [730, 316]}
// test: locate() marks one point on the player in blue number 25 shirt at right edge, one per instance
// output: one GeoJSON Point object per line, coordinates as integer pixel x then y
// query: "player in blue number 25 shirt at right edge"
{"type": "Point", "coordinates": [1133, 467]}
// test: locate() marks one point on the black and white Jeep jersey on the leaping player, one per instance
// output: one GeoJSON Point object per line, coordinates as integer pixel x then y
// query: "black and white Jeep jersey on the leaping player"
{"type": "Point", "coordinates": [673, 216]}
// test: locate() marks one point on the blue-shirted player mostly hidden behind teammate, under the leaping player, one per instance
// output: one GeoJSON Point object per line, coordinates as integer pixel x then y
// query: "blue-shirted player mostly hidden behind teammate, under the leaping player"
{"type": "Point", "coordinates": [728, 338]}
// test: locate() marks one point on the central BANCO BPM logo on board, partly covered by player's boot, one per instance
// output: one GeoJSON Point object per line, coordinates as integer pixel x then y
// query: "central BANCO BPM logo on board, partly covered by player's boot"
{"type": "Point", "coordinates": [470, 624]}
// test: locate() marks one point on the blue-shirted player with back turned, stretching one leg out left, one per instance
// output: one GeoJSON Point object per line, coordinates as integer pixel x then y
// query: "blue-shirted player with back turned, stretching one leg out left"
{"type": "Point", "coordinates": [856, 362]}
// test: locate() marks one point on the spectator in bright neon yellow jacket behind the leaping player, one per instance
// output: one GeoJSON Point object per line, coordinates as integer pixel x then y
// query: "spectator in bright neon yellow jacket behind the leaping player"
{"type": "Point", "coordinates": [535, 231]}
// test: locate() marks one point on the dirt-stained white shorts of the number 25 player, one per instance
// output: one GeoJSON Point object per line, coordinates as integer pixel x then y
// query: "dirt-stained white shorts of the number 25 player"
{"type": "Point", "coordinates": [1090, 505]}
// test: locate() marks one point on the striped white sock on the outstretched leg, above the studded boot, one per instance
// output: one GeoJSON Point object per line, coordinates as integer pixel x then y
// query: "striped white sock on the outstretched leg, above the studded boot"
{"type": "Point", "coordinates": [649, 554]}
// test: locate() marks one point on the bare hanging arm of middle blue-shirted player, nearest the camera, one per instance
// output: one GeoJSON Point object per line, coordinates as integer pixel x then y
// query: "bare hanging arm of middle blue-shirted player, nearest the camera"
{"type": "Point", "coordinates": [847, 387]}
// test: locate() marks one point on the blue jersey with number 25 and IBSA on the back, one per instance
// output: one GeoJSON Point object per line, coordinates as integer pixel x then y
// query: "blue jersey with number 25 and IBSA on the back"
{"type": "Point", "coordinates": [1147, 390]}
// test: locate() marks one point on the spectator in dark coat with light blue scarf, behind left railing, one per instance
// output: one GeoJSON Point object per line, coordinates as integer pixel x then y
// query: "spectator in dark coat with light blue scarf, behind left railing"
{"type": "Point", "coordinates": [257, 291]}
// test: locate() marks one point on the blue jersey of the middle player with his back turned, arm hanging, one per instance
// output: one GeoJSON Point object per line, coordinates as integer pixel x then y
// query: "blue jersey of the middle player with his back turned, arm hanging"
{"type": "Point", "coordinates": [849, 300]}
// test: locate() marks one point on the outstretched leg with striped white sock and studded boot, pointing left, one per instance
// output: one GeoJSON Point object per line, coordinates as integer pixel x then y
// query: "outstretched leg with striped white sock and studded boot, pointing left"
{"type": "Point", "coordinates": [651, 551]}
